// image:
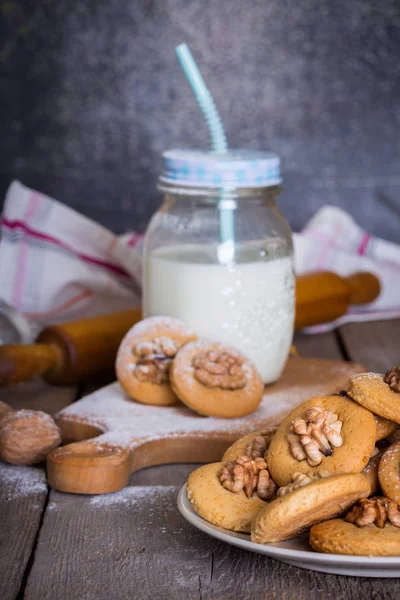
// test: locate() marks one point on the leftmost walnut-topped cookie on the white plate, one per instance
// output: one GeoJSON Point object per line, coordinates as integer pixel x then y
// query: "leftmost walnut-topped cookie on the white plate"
{"type": "Point", "coordinates": [230, 494]}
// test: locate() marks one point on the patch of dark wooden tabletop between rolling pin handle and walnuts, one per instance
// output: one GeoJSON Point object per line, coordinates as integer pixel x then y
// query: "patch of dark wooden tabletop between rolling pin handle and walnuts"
{"type": "Point", "coordinates": [38, 395]}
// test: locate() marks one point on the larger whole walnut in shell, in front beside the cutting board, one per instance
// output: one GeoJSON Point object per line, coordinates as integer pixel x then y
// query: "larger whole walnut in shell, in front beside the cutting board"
{"type": "Point", "coordinates": [27, 437]}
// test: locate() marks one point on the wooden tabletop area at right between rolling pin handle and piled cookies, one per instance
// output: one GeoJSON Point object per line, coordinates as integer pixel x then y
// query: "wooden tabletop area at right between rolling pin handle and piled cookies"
{"type": "Point", "coordinates": [375, 344]}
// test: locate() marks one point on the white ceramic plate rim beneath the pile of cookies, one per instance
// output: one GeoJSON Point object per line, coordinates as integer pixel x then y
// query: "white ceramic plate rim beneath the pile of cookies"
{"type": "Point", "coordinates": [296, 552]}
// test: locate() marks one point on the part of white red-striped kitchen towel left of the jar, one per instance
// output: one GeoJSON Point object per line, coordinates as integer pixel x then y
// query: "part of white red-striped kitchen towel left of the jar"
{"type": "Point", "coordinates": [57, 265]}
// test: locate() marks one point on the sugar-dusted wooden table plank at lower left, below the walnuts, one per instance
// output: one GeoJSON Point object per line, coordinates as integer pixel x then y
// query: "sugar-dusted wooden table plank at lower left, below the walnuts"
{"type": "Point", "coordinates": [23, 492]}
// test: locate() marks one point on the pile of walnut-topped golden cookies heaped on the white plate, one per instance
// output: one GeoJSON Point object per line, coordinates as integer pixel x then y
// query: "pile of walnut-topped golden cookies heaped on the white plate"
{"type": "Point", "coordinates": [331, 467]}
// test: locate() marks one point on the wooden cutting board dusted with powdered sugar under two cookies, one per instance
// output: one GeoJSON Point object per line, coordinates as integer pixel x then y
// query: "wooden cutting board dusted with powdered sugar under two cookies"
{"type": "Point", "coordinates": [126, 436]}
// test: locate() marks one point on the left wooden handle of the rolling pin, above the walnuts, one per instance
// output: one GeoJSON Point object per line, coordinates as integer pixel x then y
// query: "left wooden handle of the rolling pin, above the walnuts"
{"type": "Point", "coordinates": [20, 362]}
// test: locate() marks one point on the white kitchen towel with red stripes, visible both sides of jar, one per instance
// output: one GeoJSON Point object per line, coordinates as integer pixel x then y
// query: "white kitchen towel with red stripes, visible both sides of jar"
{"type": "Point", "coordinates": [57, 265]}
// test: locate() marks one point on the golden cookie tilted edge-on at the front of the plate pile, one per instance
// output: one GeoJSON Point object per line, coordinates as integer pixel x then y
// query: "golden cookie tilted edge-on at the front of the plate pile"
{"type": "Point", "coordinates": [290, 515]}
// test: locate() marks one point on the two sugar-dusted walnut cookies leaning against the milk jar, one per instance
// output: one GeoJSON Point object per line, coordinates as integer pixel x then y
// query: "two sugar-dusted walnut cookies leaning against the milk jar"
{"type": "Point", "coordinates": [161, 361]}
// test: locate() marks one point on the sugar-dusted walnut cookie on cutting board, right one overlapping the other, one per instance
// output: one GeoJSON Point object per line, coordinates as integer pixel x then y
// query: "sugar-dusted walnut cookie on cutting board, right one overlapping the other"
{"type": "Point", "coordinates": [215, 380]}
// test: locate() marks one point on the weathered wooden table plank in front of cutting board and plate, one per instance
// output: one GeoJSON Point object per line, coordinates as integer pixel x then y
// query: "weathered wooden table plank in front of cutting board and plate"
{"type": "Point", "coordinates": [135, 544]}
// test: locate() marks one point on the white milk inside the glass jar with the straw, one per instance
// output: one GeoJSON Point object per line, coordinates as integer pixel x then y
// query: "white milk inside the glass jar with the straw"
{"type": "Point", "coordinates": [249, 306]}
